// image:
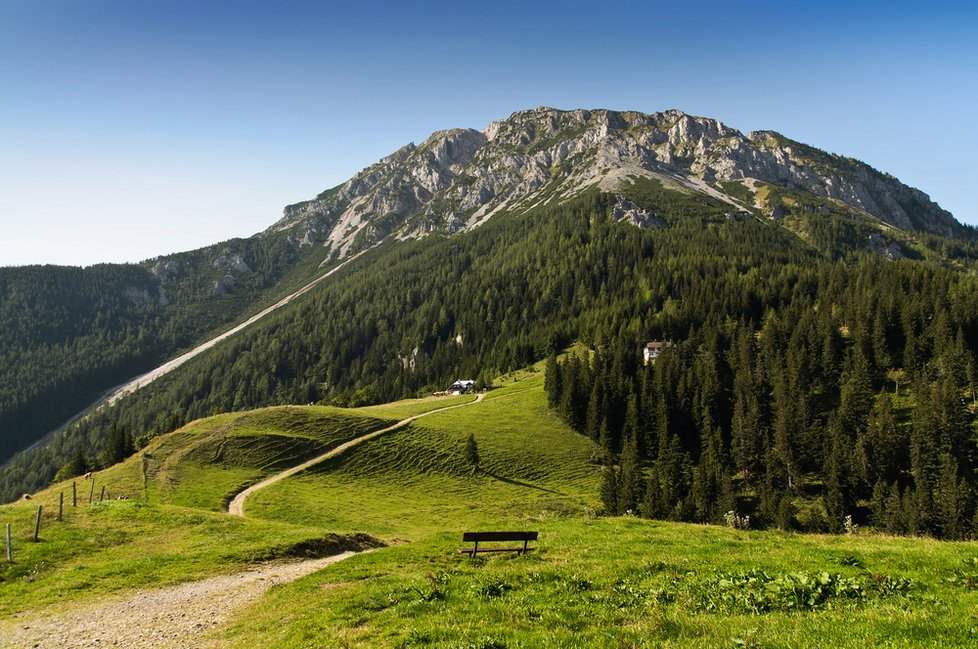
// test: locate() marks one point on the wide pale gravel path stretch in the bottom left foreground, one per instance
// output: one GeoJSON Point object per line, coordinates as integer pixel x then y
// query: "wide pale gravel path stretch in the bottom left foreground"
{"type": "Point", "coordinates": [178, 617]}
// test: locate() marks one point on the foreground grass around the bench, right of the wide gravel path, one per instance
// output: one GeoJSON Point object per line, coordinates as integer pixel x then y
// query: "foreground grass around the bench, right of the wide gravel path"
{"type": "Point", "coordinates": [625, 582]}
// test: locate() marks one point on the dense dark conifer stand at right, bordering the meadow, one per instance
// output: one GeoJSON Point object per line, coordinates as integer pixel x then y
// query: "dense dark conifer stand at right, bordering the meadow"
{"type": "Point", "coordinates": [854, 394]}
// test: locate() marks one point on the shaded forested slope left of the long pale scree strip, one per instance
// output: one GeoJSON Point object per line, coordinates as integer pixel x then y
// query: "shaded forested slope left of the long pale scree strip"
{"type": "Point", "coordinates": [68, 334]}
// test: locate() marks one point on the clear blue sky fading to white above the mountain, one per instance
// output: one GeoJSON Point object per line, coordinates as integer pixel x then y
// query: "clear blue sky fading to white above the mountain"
{"type": "Point", "coordinates": [134, 128]}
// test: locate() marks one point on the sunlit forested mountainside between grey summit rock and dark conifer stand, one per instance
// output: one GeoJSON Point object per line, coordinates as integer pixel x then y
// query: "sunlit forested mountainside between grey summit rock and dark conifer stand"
{"type": "Point", "coordinates": [411, 316]}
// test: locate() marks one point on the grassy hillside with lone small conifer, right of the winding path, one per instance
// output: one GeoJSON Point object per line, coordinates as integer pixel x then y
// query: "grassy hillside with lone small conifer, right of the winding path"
{"type": "Point", "coordinates": [415, 481]}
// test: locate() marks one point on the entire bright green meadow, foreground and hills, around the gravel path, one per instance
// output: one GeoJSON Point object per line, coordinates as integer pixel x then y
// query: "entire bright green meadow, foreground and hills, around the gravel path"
{"type": "Point", "coordinates": [601, 582]}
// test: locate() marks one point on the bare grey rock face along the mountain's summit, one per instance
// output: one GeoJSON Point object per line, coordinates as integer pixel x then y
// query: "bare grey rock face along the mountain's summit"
{"type": "Point", "coordinates": [456, 179]}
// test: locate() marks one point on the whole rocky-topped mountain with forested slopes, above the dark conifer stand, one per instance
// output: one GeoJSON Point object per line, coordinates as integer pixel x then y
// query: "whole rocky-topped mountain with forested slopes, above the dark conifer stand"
{"type": "Point", "coordinates": [488, 251]}
